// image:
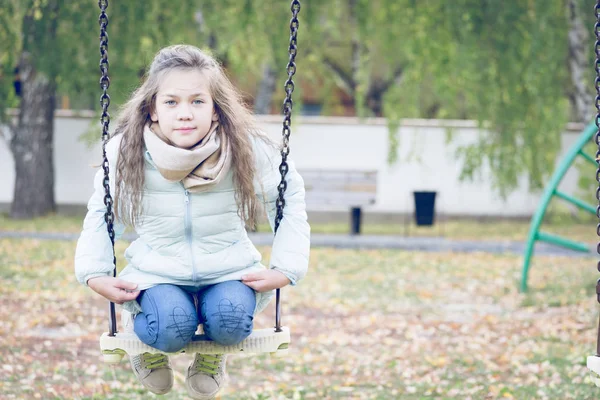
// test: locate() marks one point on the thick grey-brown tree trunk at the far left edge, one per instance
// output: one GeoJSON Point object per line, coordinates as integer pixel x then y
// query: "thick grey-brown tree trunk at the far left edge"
{"type": "Point", "coordinates": [30, 140]}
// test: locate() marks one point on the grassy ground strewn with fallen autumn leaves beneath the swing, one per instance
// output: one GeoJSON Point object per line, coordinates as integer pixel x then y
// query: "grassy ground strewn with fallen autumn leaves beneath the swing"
{"type": "Point", "coordinates": [365, 325]}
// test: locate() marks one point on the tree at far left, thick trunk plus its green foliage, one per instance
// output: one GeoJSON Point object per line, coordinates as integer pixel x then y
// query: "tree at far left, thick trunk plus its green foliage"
{"type": "Point", "coordinates": [53, 45]}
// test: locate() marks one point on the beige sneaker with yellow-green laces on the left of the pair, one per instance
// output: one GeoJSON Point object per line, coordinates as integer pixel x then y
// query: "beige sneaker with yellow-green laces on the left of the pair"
{"type": "Point", "coordinates": [153, 371]}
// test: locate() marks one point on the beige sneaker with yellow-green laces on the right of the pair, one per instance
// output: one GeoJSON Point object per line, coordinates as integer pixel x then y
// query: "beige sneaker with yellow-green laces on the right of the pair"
{"type": "Point", "coordinates": [206, 376]}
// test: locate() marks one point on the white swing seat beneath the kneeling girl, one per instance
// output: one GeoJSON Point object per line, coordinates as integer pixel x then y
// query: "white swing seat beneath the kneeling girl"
{"type": "Point", "coordinates": [260, 341]}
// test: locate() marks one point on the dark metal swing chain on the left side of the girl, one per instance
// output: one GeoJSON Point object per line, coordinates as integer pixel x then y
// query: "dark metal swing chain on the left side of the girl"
{"type": "Point", "coordinates": [105, 121]}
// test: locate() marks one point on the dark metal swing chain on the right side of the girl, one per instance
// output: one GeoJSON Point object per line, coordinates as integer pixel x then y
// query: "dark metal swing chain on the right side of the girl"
{"type": "Point", "coordinates": [287, 121]}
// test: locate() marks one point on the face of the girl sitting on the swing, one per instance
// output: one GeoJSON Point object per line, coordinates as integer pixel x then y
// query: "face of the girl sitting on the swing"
{"type": "Point", "coordinates": [184, 108]}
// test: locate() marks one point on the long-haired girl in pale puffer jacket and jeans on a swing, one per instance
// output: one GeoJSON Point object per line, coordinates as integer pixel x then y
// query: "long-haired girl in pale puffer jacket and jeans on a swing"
{"type": "Point", "coordinates": [188, 171]}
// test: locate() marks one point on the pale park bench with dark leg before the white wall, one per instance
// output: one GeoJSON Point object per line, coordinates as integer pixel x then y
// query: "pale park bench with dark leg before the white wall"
{"type": "Point", "coordinates": [335, 188]}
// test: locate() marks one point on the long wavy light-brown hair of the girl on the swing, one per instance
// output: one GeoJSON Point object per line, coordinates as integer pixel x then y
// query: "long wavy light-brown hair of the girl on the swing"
{"type": "Point", "coordinates": [235, 119]}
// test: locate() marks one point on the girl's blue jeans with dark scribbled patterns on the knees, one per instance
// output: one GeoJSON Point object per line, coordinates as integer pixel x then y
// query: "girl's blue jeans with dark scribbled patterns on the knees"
{"type": "Point", "coordinates": [169, 316]}
